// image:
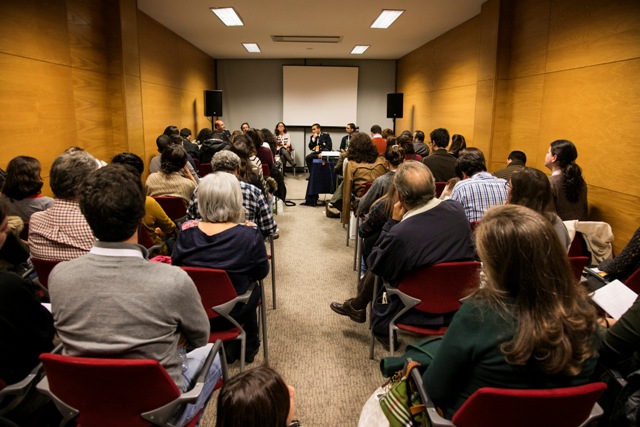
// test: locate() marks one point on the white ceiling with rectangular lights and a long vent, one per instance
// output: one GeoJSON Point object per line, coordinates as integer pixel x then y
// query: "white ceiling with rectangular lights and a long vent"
{"type": "Point", "coordinates": [422, 21]}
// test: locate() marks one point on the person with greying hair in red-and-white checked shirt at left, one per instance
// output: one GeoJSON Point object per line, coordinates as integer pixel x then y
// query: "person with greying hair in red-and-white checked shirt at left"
{"type": "Point", "coordinates": [61, 232]}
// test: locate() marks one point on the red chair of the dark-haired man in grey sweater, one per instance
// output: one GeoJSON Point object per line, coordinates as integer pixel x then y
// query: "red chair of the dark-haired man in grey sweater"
{"type": "Point", "coordinates": [118, 392]}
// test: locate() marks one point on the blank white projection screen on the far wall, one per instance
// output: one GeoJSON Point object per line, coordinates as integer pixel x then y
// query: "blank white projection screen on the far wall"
{"type": "Point", "coordinates": [314, 94]}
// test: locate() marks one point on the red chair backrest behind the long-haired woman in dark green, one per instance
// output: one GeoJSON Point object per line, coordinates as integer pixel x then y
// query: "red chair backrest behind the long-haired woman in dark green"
{"type": "Point", "coordinates": [495, 407]}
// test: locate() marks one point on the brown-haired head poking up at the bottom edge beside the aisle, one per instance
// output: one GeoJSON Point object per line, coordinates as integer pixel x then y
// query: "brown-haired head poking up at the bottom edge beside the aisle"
{"type": "Point", "coordinates": [255, 398]}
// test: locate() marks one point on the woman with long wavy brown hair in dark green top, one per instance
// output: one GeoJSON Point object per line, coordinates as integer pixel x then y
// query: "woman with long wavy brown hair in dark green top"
{"type": "Point", "coordinates": [529, 326]}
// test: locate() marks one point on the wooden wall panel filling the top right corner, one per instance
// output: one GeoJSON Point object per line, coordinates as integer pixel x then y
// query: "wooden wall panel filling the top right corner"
{"type": "Point", "coordinates": [590, 32]}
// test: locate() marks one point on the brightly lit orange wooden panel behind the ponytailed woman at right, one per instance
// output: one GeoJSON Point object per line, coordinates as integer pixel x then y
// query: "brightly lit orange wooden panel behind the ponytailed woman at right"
{"type": "Point", "coordinates": [593, 107]}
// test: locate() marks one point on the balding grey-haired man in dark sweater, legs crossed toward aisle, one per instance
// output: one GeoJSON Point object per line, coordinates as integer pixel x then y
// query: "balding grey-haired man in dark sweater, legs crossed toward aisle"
{"type": "Point", "coordinates": [422, 231]}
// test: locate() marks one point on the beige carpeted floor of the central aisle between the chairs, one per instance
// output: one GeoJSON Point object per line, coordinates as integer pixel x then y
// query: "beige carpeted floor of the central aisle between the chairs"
{"type": "Point", "coordinates": [323, 355]}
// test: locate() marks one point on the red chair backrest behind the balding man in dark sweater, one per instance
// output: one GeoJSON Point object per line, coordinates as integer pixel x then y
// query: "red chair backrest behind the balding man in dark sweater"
{"type": "Point", "coordinates": [440, 286]}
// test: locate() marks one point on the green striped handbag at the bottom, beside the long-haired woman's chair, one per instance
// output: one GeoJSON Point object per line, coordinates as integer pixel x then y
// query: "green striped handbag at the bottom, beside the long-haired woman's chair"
{"type": "Point", "coordinates": [401, 404]}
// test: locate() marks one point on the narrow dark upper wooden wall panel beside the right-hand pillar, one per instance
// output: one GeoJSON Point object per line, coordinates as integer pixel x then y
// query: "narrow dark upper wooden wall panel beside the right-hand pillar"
{"type": "Point", "coordinates": [529, 21]}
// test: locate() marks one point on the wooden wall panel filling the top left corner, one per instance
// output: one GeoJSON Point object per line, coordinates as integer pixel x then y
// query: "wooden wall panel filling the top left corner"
{"type": "Point", "coordinates": [35, 29]}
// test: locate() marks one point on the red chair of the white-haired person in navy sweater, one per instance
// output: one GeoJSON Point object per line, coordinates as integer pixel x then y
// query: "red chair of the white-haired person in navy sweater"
{"type": "Point", "coordinates": [219, 297]}
